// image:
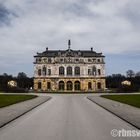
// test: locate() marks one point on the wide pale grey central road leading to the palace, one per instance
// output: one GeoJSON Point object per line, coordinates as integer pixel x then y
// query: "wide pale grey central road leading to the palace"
{"type": "Point", "coordinates": [65, 117]}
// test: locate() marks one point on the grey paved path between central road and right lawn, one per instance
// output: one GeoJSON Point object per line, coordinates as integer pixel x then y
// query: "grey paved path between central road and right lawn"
{"type": "Point", "coordinates": [128, 113]}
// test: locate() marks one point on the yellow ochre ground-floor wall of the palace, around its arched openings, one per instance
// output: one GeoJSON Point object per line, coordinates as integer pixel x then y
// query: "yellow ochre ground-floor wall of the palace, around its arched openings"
{"type": "Point", "coordinates": [55, 83]}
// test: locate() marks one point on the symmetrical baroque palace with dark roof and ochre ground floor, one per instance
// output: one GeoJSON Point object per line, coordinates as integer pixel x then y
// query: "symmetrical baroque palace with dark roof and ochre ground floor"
{"type": "Point", "coordinates": [69, 71]}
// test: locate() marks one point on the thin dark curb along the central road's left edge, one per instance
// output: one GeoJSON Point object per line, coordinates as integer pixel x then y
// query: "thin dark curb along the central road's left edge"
{"type": "Point", "coordinates": [24, 112]}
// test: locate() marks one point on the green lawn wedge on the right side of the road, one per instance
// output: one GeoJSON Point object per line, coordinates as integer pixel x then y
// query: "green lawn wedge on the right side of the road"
{"type": "Point", "coordinates": [130, 99]}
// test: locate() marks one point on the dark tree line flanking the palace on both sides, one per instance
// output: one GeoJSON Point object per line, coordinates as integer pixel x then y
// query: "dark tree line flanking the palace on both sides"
{"type": "Point", "coordinates": [113, 82]}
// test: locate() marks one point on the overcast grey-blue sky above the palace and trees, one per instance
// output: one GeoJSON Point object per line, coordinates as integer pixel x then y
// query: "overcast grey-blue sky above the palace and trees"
{"type": "Point", "coordinates": [109, 26]}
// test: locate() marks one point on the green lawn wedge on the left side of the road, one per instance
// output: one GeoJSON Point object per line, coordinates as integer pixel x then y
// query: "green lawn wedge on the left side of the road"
{"type": "Point", "coordinates": [6, 100]}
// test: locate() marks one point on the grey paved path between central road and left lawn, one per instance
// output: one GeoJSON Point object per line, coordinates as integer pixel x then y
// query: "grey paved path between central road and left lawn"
{"type": "Point", "coordinates": [9, 113]}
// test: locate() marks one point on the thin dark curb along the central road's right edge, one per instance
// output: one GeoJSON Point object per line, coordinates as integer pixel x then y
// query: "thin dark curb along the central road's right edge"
{"type": "Point", "coordinates": [119, 116]}
